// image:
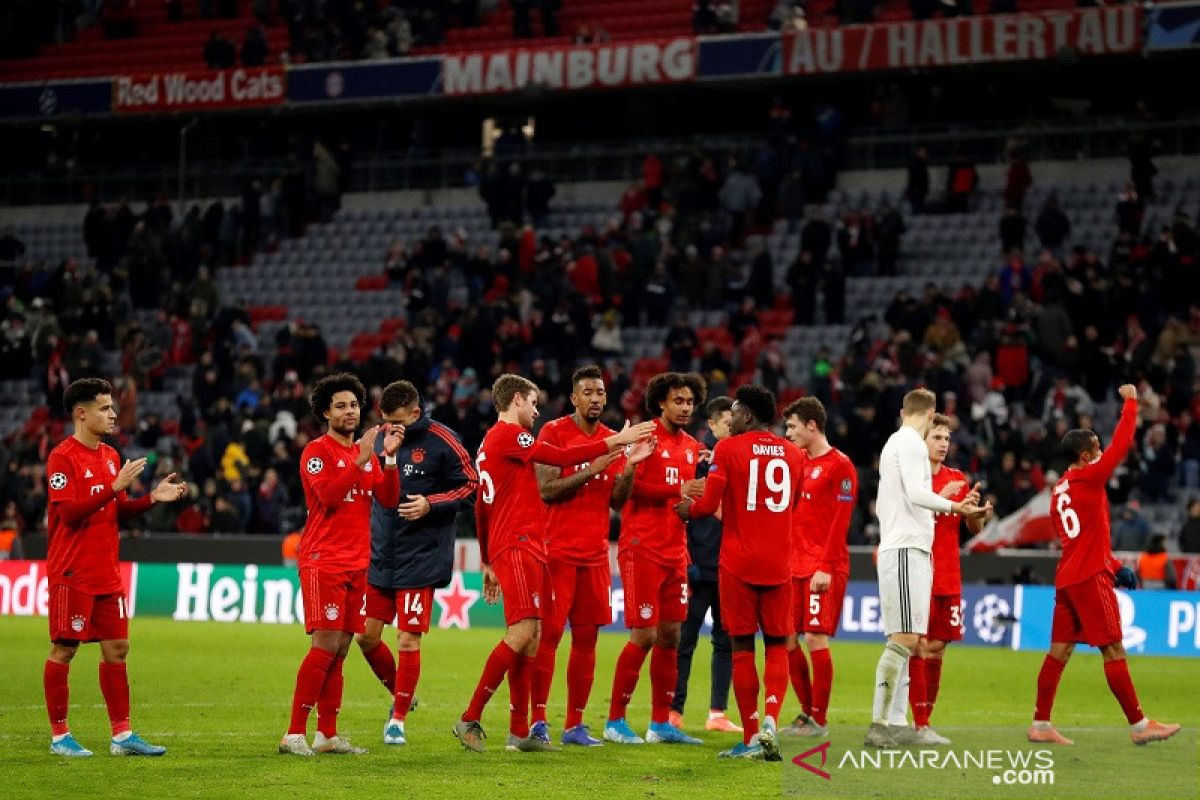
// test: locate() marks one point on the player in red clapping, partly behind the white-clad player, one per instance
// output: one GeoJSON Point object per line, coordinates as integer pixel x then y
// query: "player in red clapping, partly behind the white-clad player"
{"type": "Point", "coordinates": [946, 606]}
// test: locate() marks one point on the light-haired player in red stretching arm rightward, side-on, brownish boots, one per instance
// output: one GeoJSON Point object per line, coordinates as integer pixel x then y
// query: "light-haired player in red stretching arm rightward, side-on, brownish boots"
{"type": "Point", "coordinates": [512, 530]}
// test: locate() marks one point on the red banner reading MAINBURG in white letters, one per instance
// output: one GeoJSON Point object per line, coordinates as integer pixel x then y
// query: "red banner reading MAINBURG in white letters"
{"type": "Point", "coordinates": [572, 68]}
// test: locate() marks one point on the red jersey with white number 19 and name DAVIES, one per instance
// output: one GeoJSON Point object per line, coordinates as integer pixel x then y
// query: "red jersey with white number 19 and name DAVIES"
{"type": "Point", "coordinates": [754, 479]}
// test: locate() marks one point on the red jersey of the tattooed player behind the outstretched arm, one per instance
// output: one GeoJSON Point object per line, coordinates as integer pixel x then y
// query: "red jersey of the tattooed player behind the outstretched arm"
{"type": "Point", "coordinates": [578, 527]}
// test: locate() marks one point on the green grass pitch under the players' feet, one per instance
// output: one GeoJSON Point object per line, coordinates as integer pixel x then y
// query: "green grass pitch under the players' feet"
{"type": "Point", "coordinates": [218, 695]}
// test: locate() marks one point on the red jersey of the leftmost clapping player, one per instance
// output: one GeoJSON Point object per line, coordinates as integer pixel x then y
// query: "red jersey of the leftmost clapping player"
{"type": "Point", "coordinates": [83, 515]}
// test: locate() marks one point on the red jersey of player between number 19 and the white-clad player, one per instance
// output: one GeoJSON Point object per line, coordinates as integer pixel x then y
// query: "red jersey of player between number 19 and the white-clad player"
{"type": "Point", "coordinates": [829, 490]}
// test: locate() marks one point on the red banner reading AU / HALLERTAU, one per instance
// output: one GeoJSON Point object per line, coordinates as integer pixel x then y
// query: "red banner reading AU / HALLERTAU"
{"type": "Point", "coordinates": [991, 39]}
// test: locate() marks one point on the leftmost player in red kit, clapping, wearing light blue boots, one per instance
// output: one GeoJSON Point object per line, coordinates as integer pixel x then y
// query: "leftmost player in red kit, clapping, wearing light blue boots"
{"type": "Point", "coordinates": [87, 597]}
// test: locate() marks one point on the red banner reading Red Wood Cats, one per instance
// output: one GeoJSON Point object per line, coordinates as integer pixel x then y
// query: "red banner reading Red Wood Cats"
{"type": "Point", "coordinates": [203, 91]}
